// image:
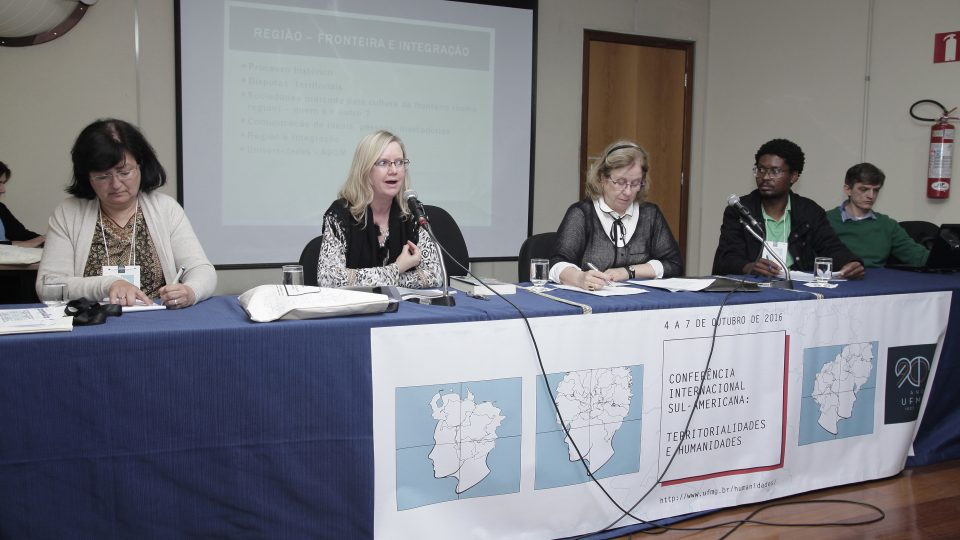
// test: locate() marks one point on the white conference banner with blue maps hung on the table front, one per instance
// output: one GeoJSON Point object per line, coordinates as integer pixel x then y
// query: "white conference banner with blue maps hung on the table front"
{"type": "Point", "coordinates": [797, 396]}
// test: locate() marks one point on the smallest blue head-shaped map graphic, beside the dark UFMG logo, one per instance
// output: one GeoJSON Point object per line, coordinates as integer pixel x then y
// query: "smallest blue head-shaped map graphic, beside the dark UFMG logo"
{"type": "Point", "coordinates": [839, 386]}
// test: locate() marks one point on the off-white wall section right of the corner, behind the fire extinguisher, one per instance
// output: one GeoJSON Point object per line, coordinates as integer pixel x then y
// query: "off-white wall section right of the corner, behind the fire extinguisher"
{"type": "Point", "coordinates": [798, 70]}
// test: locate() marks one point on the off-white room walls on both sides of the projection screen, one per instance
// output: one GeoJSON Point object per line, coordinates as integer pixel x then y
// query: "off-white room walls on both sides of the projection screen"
{"type": "Point", "coordinates": [764, 68]}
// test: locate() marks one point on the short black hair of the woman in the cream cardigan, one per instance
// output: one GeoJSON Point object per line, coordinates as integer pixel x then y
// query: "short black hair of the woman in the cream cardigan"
{"type": "Point", "coordinates": [101, 145]}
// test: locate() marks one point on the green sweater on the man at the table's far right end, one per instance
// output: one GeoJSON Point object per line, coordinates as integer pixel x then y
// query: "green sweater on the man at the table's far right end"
{"type": "Point", "coordinates": [876, 240]}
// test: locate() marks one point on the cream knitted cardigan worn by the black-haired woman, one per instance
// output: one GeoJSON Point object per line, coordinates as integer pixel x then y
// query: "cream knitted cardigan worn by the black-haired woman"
{"type": "Point", "coordinates": [71, 230]}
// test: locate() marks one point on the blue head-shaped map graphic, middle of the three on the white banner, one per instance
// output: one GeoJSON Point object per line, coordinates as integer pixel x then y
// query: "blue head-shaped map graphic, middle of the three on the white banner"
{"type": "Point", "coordinates": [602, 409]}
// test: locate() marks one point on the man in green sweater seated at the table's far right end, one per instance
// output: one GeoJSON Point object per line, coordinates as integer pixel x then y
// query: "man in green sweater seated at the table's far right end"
{"type": "Point", "coordinates": [872, 236]}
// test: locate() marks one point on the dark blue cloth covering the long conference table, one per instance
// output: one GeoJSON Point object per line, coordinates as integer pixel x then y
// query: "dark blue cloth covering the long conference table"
{"type": "Point", "coordinates": [201, 423]}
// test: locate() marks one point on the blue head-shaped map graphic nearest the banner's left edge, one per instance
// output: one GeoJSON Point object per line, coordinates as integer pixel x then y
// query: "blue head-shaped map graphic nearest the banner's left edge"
{"type": "Point", "coordinates": [456, 441]}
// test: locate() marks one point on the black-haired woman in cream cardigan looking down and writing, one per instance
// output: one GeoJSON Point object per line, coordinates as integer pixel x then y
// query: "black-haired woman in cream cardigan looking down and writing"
{"type": "Point", "coordinates": [116, 238]}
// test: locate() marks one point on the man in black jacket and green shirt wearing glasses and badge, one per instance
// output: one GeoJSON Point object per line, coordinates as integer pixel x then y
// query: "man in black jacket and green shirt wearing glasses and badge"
{"type": "Point", "coordinates": [795, 227]}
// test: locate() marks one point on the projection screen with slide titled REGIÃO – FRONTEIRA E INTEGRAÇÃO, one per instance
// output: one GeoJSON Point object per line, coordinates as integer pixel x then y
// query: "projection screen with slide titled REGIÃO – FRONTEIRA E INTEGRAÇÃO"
{"type": "Point", "coordinates": [274, 105]}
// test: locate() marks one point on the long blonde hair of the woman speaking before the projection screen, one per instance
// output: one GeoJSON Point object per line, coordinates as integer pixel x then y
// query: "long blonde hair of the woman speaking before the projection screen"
{"type": "Point", "coordinates": [356, 190]}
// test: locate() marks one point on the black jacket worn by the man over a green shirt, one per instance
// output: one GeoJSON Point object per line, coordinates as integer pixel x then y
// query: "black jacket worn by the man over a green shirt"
{"type": "Point", "coordinates": [810, 236]}
